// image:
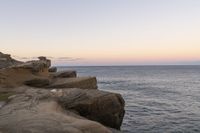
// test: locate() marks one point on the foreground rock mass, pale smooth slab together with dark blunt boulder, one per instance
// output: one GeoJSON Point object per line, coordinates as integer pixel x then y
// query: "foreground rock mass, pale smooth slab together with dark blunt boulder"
{"type": "Point", "coordinates": [57, 111]}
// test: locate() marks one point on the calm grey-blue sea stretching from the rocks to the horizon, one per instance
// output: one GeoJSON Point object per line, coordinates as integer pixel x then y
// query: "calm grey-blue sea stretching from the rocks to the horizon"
{"type": "Point", "coordinates": [158, 98]}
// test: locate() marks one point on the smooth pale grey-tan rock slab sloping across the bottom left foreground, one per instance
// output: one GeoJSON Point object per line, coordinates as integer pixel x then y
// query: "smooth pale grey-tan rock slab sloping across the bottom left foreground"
{"type": "Point", "coordinates": [36, 112]}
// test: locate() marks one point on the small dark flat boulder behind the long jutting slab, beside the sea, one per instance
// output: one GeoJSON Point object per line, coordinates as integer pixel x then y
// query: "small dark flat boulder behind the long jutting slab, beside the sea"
{"type": "Point", "coordinates": [64, 74]}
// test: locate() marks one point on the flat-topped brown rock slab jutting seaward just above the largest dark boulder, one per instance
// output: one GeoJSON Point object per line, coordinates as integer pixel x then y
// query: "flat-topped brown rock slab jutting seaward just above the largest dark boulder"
{"type": "Point", "coordinates": [79, 82]}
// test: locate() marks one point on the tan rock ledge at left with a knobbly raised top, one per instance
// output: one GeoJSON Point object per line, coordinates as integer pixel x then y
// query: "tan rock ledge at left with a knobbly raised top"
{"type": "Point", "coordinates": [17, 75]}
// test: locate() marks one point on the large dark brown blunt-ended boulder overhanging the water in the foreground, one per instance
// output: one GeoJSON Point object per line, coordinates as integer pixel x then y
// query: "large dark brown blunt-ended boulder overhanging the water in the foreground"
{"type": "Point", "coordinates": [104, 107]}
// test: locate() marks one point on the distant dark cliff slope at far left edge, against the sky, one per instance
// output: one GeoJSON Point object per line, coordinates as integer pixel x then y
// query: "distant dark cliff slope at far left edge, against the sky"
{"type": "Point", "coordinates": [6, 61]}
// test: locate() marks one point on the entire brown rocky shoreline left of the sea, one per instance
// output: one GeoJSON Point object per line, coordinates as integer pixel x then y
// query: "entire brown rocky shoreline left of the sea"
{"type": "Point", "coordinates": [35, 98]}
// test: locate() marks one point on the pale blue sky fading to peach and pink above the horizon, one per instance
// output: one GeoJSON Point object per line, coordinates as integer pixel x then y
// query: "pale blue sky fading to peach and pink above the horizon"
{"type": "Point", "coordinates": [102, 32]}
